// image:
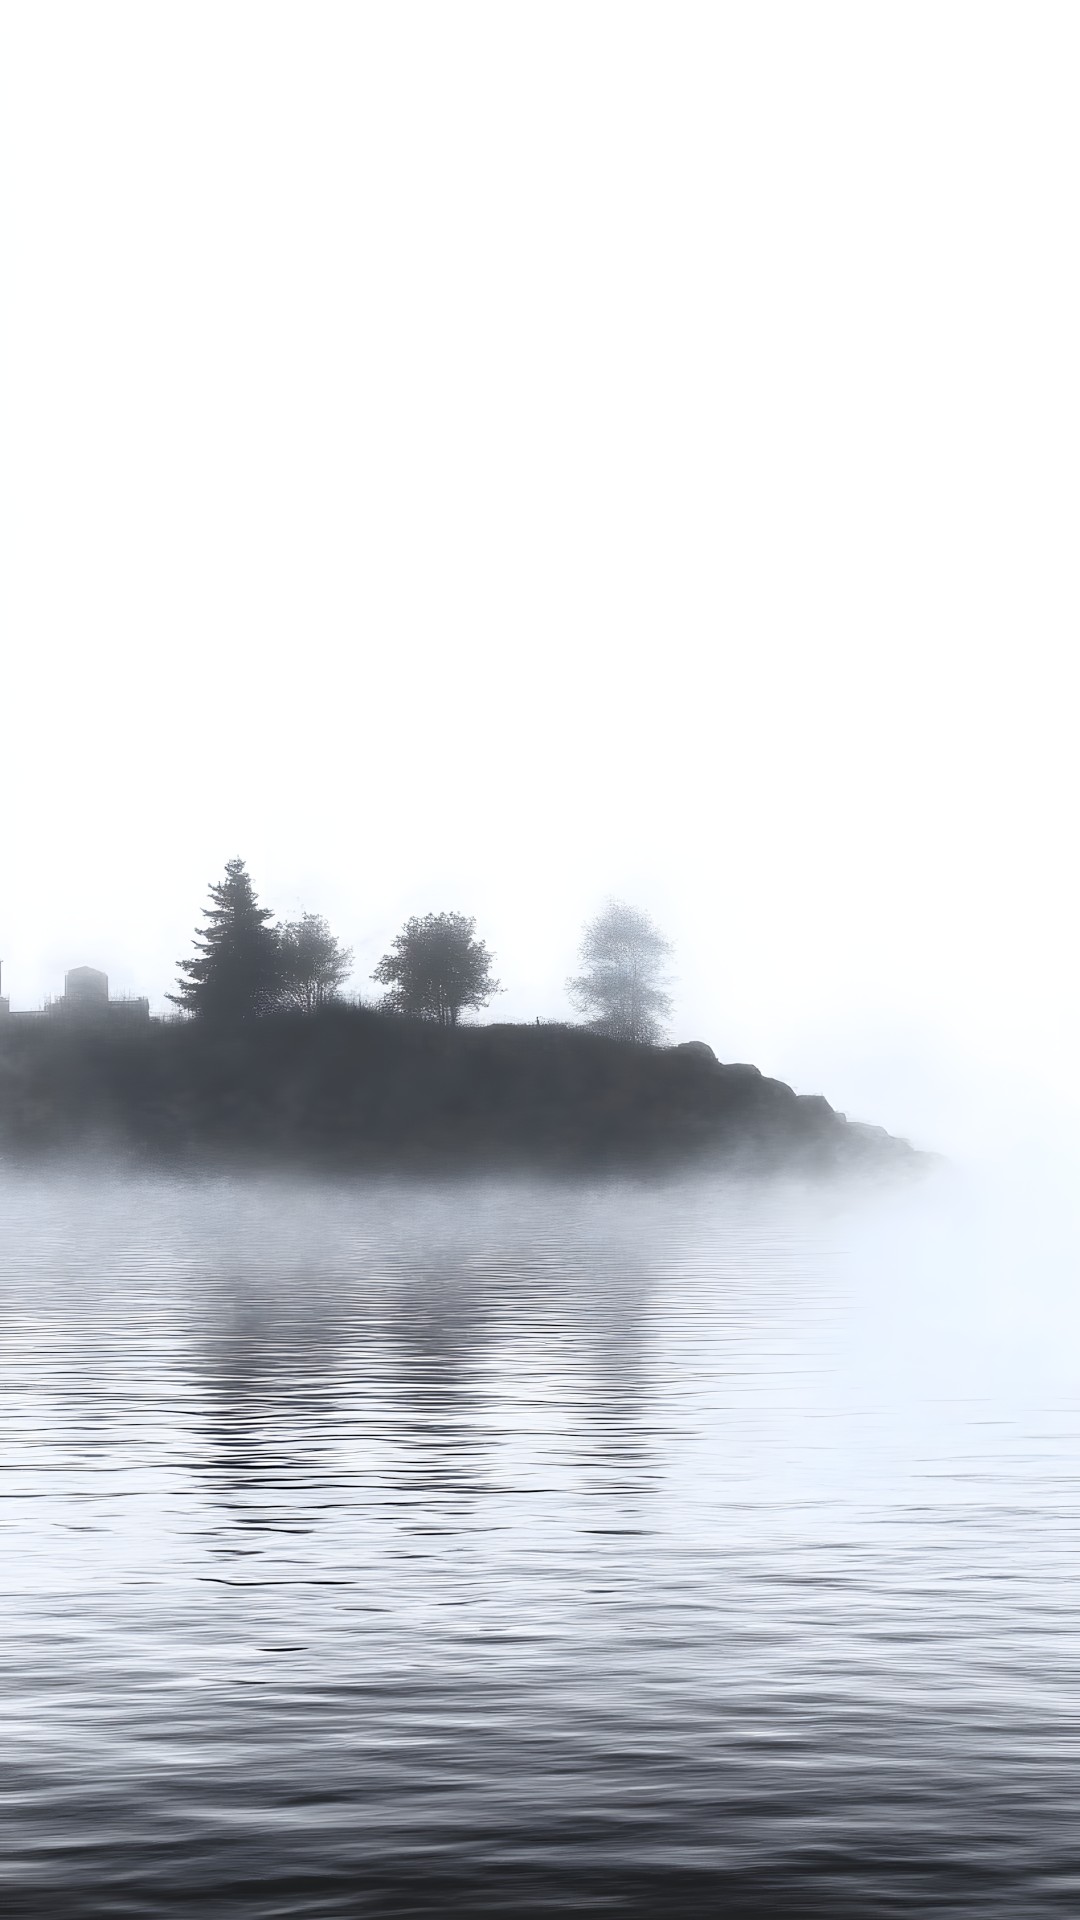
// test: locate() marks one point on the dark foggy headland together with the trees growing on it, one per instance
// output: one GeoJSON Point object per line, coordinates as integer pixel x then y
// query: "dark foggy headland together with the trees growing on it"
{"type": "Point", "coordinates": [274, 1067]}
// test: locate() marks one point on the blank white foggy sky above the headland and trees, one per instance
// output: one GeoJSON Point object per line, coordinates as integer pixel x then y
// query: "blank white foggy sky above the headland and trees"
{"type": "Point", "coordinates": [497, 456]}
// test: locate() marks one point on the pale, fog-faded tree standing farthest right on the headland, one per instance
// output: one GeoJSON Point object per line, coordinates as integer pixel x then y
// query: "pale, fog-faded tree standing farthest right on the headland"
{"type": "Point", "coordinates": [622, 982]}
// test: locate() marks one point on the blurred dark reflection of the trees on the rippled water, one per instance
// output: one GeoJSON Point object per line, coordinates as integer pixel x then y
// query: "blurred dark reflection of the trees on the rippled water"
{"type": "Point", "coordinates": [462, 1355]}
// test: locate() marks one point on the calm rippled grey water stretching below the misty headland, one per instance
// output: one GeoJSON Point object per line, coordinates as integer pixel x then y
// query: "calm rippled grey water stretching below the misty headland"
{"type": "Point", "coordinates": [510, 1550]}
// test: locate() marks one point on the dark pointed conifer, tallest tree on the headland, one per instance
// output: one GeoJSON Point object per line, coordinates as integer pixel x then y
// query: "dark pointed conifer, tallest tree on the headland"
{"type": "Point", "coordinates": [235, 972]}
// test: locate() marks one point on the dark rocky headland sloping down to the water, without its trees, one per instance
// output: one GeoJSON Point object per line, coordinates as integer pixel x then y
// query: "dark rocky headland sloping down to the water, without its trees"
{"type": "Point", "coordinates": [360, 1090]}
